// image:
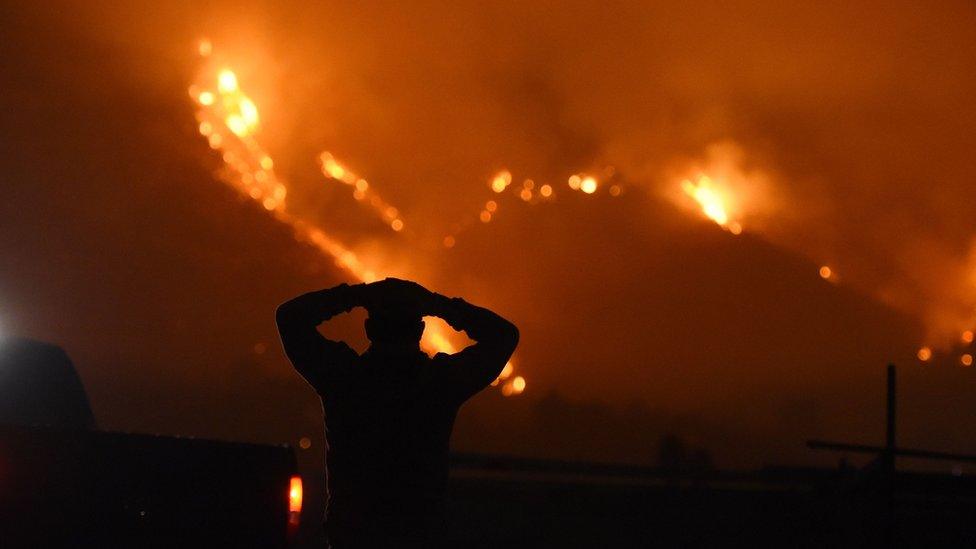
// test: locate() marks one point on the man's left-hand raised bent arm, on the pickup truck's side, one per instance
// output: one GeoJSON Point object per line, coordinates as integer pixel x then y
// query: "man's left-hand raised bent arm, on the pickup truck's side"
{"type": "Point", "coordinates": [318, 359]}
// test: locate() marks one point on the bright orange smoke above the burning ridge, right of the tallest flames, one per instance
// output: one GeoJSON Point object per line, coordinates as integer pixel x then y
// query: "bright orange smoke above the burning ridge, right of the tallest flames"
{"type": "Point", "coordinates": [843, 129]}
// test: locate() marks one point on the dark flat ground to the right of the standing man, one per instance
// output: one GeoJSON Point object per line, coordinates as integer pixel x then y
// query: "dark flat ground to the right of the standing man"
{"type": "Point", "coordinates": [522, 503]}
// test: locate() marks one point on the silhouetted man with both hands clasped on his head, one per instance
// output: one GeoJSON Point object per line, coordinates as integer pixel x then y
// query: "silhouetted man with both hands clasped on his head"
{"type": "Point", "coordinates": [389, 412]}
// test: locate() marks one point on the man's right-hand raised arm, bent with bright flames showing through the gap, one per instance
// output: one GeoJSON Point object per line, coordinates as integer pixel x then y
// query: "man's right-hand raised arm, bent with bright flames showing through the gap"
{"type": "Point", "coordinates": [475, 367]}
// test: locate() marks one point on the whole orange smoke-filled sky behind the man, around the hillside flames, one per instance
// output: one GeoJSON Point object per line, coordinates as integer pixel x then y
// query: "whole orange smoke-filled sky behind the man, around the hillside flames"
{"type": "Point", "coordinates": [120, 243]}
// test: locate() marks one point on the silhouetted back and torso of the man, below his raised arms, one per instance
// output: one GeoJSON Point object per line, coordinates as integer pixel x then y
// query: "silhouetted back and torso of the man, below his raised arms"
{"type": "Point", "coordinates": [388, 427]}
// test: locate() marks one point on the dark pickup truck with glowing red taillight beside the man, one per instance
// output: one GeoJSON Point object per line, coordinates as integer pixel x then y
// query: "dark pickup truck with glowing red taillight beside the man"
{"type": "Point", "coordinates": [63, 483]}
